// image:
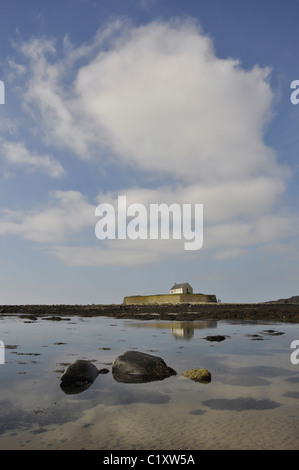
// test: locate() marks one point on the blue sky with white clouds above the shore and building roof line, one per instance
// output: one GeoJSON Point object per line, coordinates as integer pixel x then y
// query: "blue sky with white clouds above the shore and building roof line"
{"type": "Point", "coordinates": [164, 102]}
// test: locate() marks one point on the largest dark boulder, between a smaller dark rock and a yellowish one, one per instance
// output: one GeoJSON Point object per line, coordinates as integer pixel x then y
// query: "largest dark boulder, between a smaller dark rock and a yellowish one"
{"type": "Point", "coordinates": [137, 367]}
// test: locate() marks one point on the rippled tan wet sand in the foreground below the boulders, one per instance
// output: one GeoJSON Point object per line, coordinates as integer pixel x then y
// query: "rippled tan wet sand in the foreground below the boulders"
{"type": "Point", "coordinates": [123, 429]}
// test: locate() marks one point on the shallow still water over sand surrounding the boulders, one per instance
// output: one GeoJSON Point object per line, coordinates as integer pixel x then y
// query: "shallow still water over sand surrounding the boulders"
{"type": "Point", "coordinates": [252, 401]}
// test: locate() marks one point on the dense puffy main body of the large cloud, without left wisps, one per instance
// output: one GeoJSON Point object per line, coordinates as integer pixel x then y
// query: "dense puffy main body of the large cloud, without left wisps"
{"type": "Point", "coordinates": [164, 101]}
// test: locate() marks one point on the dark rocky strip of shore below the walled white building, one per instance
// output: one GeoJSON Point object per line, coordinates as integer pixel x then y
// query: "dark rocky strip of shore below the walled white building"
{"type": "Point", "coordinates": [180, 312]}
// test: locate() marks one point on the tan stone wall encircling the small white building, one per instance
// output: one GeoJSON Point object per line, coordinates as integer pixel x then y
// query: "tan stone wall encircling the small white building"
{"type": "Point", "coordinates": [169, 299]}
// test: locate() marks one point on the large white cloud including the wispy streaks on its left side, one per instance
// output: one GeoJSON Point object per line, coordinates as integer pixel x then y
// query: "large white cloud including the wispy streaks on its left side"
{"type": "Point", "coordinates": [157, 96]}
